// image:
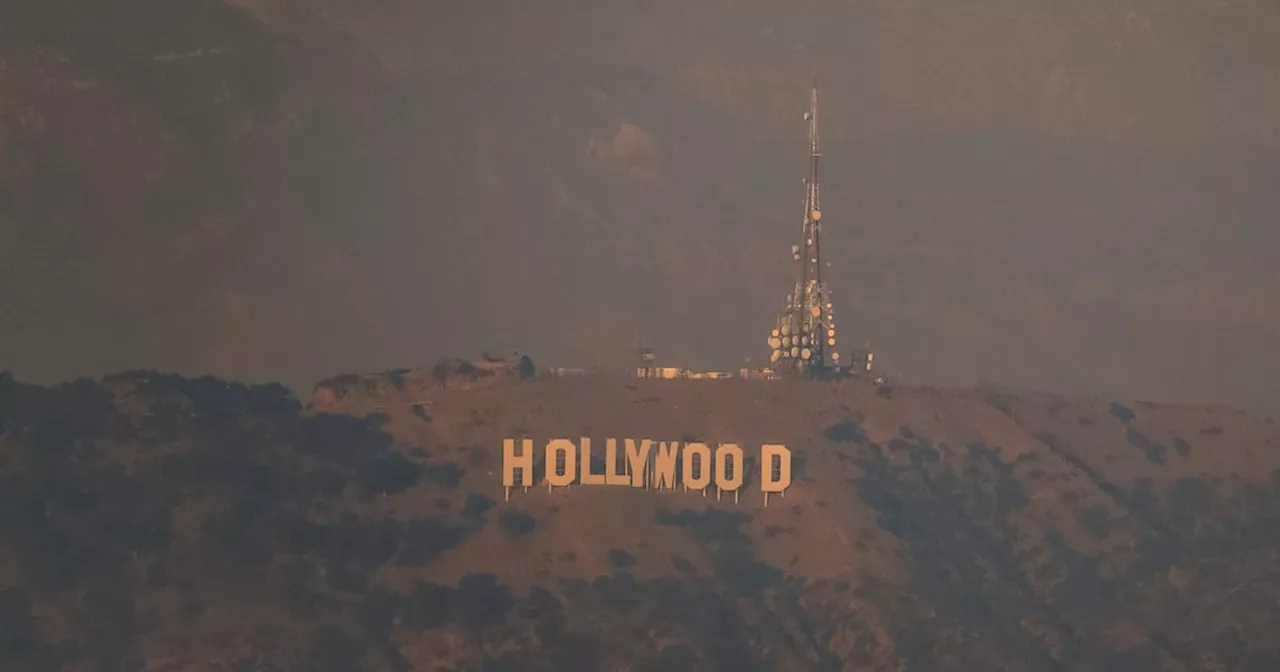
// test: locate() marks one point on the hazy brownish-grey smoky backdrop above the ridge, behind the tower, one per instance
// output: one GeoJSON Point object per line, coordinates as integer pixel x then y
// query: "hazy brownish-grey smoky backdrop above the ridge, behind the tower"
{"type": "Point", "coordinates": [1067, 196]}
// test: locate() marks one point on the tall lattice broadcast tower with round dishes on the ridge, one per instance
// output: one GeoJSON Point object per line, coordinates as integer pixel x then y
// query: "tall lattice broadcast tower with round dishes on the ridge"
{"type": "Point", "coordinates": [803, 341]}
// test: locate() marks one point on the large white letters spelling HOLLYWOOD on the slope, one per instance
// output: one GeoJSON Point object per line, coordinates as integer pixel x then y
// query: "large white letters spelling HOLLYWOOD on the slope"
{"type": "Point", "coordinates": [646, 465]}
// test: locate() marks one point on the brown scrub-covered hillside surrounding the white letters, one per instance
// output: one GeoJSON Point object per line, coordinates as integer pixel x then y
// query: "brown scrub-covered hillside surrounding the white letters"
{"type": "Point", "coordinates": [156, 523]}
